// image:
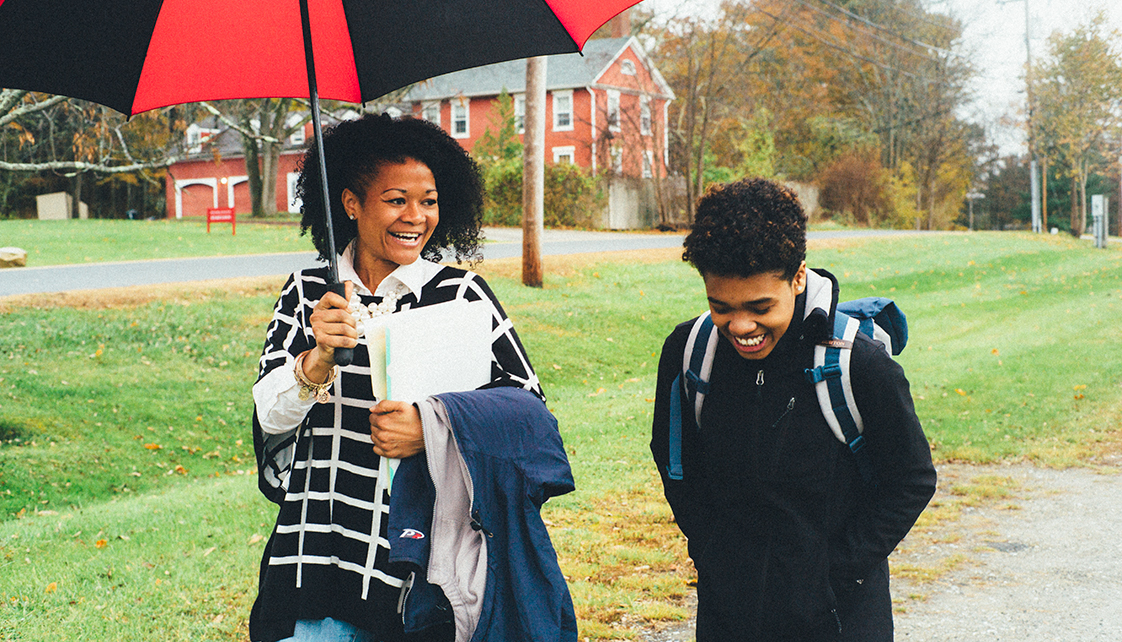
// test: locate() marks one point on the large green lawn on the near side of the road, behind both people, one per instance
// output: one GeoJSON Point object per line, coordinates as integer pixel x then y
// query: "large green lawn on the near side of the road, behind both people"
{"type": "Point", "coordinates": [128, 507]}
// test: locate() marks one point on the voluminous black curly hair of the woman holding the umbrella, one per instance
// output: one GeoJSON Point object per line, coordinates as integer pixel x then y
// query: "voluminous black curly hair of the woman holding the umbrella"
{"type": "Point", "coordinates": [355, 151]}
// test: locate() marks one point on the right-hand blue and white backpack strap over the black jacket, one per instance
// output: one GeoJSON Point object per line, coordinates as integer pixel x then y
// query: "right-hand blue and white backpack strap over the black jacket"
{"type": "Point", "coordinates": [831, 377]}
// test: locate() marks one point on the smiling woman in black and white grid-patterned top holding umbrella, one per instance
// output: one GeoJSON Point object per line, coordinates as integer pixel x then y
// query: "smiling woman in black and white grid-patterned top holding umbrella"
{"type": "Point", "coordinates": [402, 194]}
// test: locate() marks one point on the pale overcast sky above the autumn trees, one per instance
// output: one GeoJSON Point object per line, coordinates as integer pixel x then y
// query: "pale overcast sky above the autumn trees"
{"type": "Point", "coordinates": [995, 40]}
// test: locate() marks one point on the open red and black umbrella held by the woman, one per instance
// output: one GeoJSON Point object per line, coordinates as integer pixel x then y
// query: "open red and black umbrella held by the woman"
{"type": "Point", "coordinates": [136, 56]}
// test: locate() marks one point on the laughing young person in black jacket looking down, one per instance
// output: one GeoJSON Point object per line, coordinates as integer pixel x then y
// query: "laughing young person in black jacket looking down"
{"type": "Point", "coordinates": [789, 542]}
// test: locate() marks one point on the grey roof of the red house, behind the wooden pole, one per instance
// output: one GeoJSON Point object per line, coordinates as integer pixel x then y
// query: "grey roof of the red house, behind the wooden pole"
{"type": "Point", "coordinates": [565, 71]}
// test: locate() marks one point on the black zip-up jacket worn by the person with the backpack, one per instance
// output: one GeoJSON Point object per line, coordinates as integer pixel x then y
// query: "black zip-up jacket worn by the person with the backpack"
{"type": "Point", "coordinates": [781, 528]}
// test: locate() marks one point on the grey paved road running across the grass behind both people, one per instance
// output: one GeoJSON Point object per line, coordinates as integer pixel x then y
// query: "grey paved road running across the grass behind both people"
{"type": "Point", "coordinates": [505, 243]}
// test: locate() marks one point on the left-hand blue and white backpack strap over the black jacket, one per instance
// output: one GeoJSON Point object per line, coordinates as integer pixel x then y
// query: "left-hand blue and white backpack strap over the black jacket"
{"type": "Point", "coordinates": [694, 384]}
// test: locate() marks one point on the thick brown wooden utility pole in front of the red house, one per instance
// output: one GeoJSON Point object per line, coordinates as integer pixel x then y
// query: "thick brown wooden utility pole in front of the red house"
{"type": "Point", "coordinates": [534, 173]}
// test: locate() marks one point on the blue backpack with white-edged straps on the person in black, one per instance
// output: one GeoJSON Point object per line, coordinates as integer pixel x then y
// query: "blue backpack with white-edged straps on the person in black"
{"type": "Point", "coordinates": [876, 317]}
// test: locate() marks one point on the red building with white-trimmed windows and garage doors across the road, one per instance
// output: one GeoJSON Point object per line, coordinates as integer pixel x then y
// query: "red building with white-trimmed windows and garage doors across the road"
{"type": "Point", "coordinates": [605, 111]}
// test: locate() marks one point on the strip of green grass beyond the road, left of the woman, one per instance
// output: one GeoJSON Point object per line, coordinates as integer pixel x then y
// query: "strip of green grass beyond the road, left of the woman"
{"type": "Point", "coordinates": [99, 241]}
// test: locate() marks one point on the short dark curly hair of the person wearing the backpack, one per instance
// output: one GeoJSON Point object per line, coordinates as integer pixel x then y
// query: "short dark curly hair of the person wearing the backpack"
{"type": "Point", "coordinates": [746, 228]}
